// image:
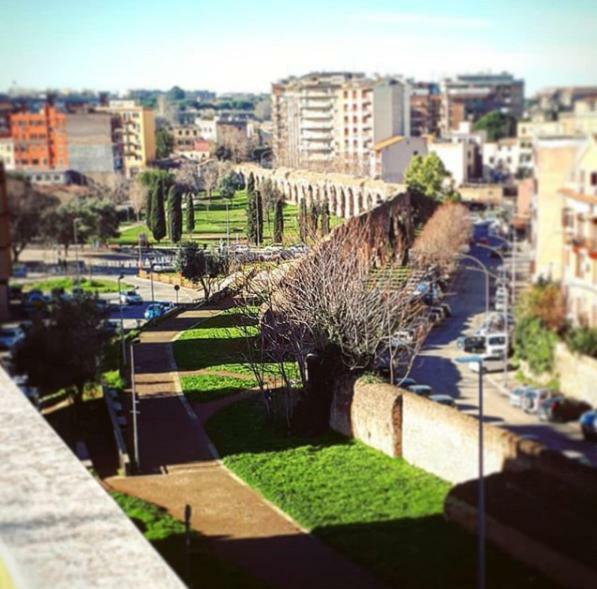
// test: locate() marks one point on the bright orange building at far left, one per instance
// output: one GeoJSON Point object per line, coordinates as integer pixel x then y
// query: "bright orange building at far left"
{"type": "Point", "coordinates": [39, 139]}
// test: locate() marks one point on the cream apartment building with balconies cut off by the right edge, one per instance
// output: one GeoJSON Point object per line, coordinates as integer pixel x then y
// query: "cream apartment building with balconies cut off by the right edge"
{"type": "Point", "coordinates": [579, 223]}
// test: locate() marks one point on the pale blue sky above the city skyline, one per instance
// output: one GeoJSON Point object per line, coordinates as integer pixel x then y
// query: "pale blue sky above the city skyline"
{"type": "Point", "coordinates": [236, 46]}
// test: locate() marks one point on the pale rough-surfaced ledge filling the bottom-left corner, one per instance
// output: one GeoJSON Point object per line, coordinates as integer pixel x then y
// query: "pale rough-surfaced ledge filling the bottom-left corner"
{"type": "Point", "coordinates": [58, 527]}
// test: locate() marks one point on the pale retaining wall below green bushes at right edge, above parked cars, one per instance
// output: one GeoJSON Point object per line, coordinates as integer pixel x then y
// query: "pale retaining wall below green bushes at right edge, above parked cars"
{"type": "Point", "coordinates": [577, 374]}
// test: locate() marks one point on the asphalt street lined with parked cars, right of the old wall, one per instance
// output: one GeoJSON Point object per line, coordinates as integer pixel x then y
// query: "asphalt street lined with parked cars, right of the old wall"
{"type": "Point", "coordinates": [436, 366]}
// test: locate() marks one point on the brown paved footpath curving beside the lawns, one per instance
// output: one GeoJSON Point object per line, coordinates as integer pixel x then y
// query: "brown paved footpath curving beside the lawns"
{"type": "Point", "coordinates": [177, 455]}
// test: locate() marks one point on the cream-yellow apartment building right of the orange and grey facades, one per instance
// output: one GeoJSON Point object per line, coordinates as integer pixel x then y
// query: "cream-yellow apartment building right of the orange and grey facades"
{"type": "Point", "coordinates": [134, 134]}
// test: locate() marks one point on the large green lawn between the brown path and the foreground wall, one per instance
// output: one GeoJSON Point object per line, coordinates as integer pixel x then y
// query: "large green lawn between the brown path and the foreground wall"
{"type": "Point", "coordinates": [379, 511]}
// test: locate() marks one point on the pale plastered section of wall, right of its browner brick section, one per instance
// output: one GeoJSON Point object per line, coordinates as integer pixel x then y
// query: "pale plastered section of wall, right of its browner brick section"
{"type": "Point", "coordinates": [444, 441]}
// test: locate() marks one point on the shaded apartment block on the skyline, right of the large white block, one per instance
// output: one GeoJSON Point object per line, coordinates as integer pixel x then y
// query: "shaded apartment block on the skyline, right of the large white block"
{"type": "Point", "coordinates": [469, 97]}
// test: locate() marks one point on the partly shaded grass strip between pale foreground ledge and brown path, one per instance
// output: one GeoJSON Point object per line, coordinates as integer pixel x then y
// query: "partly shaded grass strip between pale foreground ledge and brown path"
{"type": "Point", "coordinates": [167, 536]}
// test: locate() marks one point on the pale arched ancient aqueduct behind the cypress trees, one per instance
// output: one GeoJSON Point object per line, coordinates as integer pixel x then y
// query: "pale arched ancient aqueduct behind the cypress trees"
{"type": "Point", "coordinates": [348, 196]}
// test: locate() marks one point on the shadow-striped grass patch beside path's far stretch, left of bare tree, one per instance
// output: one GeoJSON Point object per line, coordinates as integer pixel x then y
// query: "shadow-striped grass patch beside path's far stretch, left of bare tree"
{"type": "Point", "coordinates": [218, 348]}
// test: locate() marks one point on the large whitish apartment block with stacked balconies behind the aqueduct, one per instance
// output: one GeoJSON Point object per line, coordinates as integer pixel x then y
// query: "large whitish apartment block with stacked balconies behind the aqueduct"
{"type": "Point", "coordinates": [332, 121]}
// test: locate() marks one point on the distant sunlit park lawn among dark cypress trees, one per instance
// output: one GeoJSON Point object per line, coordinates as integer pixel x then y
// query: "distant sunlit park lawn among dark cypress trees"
{"type": "Point", "coordinates": [211, 222]}
